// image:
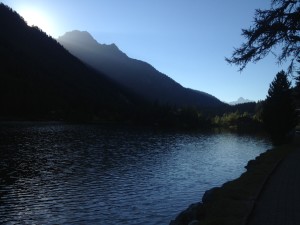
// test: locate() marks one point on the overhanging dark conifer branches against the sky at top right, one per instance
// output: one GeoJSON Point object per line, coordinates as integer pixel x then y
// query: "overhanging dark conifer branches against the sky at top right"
{"type": "Point", "coordinates": [277, 27]}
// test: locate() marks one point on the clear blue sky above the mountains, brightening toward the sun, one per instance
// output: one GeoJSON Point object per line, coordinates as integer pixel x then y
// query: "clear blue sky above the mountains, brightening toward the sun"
{"type": "Point", "coordinates": [187, 40]}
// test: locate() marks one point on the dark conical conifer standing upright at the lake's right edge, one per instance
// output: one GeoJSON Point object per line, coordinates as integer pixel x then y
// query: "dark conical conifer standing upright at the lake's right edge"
{"type": "Point", "coordinates": [279, 115]}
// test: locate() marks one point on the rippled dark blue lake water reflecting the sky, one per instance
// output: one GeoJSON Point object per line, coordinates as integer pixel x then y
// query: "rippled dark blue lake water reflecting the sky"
{"type": "Point", "coordinates": [53, 173]}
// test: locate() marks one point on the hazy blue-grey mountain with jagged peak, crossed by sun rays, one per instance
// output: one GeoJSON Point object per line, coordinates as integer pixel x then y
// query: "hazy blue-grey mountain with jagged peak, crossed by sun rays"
{"type": "Point", "coordinates": [136, 75]}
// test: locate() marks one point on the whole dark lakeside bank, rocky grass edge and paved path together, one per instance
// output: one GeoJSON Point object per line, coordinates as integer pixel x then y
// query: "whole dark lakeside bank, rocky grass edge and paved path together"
{"type": "Point", "coordinates": [268, 193]}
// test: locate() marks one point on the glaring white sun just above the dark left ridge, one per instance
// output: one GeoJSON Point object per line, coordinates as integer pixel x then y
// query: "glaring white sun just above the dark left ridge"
{"type": "Point", "coordinates": [36, 17]}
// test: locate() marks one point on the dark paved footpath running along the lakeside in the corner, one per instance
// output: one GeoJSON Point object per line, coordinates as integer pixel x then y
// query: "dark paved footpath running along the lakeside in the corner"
{"type": "Point", "coordinates": [279, 201]}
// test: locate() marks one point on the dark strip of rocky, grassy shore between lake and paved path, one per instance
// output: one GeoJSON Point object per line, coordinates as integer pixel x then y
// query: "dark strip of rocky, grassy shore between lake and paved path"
{"type": "Point", "coordinates": [234, 201]}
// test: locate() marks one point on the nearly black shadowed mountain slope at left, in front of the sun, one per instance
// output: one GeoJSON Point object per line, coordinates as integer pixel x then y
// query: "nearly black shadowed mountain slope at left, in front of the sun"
{"type": "Point", "coordinates": [39, 79]}
